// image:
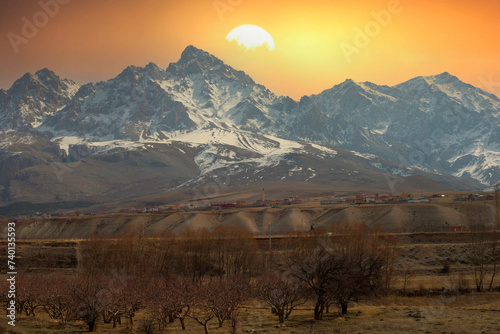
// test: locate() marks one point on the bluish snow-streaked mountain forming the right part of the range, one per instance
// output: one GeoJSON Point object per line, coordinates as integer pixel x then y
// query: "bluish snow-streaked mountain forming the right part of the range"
{"type": "Point", "coordinates": [438, 124]}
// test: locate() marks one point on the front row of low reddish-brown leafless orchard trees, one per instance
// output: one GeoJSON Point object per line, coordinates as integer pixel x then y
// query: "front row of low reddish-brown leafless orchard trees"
{"type": "Point", "coordinates": [94, 298]}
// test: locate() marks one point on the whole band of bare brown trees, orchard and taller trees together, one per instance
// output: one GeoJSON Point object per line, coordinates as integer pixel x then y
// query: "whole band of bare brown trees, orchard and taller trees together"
{"type": "Point", "coordinates": [208, 276]}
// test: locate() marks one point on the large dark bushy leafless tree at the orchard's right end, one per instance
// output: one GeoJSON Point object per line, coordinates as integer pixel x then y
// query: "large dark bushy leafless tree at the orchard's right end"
{"type": "Point", "coordinates": [351, 263]}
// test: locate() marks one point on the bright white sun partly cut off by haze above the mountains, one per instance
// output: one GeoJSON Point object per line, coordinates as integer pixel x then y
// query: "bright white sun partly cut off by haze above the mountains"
{"type": "Point", "coordinates": [251, 37]}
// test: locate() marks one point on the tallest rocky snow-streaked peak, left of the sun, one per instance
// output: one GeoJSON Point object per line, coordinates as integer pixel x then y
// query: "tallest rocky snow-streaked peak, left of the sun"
{"type": "Point", "coordinates": [199, 91]}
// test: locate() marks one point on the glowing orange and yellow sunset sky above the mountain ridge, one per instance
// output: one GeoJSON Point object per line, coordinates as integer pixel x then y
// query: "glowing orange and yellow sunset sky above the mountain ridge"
{"type": "Point", "coordinates": [318, 44]}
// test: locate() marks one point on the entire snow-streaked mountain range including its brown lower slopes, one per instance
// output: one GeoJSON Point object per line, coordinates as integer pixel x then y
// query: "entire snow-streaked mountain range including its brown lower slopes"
{"type": "Point", "coordinates": [150, 130]}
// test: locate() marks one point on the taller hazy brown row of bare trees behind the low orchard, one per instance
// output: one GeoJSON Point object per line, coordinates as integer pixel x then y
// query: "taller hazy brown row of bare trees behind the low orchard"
{"type": "Point", "coordinates": [225, 252]}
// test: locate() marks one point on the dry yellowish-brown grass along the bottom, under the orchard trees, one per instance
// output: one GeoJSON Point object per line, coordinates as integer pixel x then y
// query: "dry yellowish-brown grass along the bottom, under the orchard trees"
{"type": "Point", "coordinates": [472, 313]}
